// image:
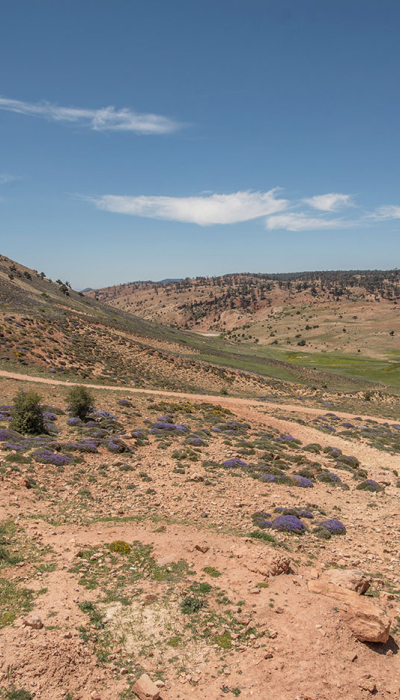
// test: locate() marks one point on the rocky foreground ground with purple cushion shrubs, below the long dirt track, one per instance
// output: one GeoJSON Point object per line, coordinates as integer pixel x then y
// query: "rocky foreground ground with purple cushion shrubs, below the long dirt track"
{"type": "Point", "coordinates": [148, 541]}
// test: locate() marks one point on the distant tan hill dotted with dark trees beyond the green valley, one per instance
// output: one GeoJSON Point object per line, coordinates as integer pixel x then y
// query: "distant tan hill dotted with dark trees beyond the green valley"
{"type": "Point", "coordinates": [324, 311]}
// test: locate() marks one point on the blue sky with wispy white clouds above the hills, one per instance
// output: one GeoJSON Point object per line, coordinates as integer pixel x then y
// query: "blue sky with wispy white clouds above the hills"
{"type": "Point", "coordinates": [165, 138]}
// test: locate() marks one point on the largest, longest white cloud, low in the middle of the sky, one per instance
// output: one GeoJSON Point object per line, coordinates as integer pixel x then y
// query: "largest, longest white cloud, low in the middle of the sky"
{"type": "Point", "coordinates": [202, 210]}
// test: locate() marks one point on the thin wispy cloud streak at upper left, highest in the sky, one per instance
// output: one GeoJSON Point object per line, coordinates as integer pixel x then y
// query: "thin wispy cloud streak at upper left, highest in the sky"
{"type": "Point", "coordinates": [105, 119]}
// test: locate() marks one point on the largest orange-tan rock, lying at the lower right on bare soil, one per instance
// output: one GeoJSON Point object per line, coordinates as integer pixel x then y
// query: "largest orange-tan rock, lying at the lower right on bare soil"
{"type": "Point", "coordinates": [366, 620]}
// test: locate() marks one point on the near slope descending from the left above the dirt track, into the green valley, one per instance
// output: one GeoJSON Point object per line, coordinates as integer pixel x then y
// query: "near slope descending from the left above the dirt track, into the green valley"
{"type": "Point", "coordinates": [49, 328]}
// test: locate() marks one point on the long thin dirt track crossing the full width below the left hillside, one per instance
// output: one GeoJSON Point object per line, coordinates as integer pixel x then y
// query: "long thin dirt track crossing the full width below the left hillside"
{"type": "Point", "coordinates": [222, 400]}
